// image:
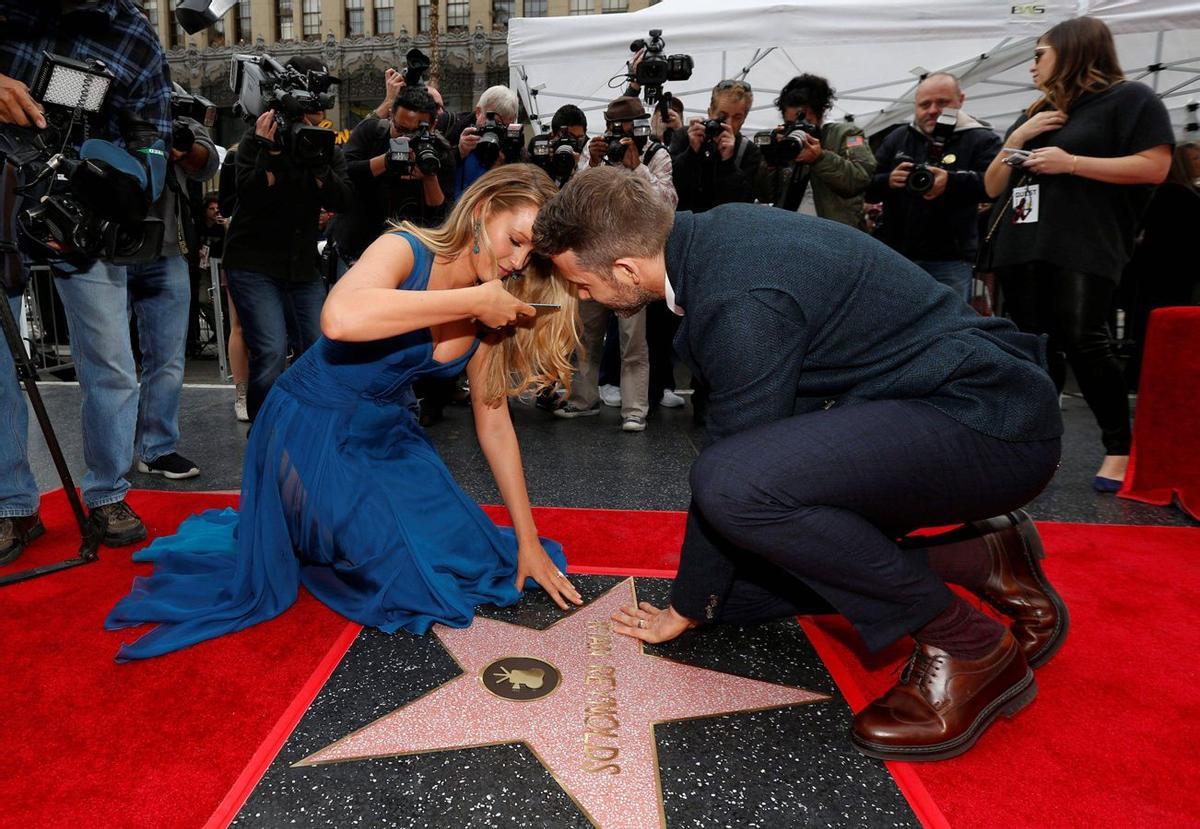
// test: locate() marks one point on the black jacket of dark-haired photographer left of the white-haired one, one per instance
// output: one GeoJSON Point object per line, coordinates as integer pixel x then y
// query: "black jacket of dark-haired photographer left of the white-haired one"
{"type": "Point", "coordinates": [380, 200]}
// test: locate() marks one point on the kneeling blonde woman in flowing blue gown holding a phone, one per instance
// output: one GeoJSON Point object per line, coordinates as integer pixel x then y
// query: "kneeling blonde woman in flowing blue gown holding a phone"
{"type": "Point", "coordinates": [343, 491]}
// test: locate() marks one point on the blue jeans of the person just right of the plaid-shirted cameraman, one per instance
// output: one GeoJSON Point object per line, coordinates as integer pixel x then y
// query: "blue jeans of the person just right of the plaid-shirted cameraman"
{"type": "Point", "coordinates": [160, 298]}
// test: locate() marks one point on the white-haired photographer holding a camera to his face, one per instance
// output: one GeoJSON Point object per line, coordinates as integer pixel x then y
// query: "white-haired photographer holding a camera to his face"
{"type": "Point", "coordinates": [469, 130]}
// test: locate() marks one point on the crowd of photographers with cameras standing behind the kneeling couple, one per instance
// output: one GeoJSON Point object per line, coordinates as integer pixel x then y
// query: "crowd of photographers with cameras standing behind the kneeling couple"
{"type": "Point", "coordinates": [287, 187]}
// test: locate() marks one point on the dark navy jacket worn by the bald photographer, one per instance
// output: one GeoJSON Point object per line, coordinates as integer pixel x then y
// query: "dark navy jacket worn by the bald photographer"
{"type": "Point", "coordinates": [946, 229]}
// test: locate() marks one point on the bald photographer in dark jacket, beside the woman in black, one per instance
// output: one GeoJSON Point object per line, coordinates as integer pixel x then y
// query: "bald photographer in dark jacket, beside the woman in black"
{"type": "Point", "coordinates": [932, 217]}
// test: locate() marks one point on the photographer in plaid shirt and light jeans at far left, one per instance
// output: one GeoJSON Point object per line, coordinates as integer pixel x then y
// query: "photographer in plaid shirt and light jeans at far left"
{"type": "Point", "coordinates": [95, 299]}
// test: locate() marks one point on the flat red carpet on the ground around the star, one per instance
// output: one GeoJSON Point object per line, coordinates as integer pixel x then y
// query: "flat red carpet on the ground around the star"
{"type": "Point", "coordinates": [91, 743]}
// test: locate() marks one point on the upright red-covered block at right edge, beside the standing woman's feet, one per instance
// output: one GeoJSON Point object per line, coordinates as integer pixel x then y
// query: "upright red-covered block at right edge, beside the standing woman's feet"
{"type": "Point", "coordinates": [1165, 464]}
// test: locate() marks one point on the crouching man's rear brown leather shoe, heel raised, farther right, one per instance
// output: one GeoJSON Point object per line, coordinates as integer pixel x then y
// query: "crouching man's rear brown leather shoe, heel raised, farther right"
{"type": "Point", "coordinates": [1018, 588]}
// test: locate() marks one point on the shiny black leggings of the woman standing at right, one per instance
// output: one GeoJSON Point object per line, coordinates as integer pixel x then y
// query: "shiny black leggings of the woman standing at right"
{"type": "Point", "coordinates": [1073, 310]}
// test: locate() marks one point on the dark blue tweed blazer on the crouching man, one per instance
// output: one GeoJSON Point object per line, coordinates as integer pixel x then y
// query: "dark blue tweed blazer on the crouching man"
{"type": "Point", "coordinates": [785, 314]}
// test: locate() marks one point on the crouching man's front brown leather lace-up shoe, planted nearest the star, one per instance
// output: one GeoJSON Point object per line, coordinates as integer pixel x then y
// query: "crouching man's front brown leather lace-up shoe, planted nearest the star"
{"type": "Point", "coordinates": [943, 705]}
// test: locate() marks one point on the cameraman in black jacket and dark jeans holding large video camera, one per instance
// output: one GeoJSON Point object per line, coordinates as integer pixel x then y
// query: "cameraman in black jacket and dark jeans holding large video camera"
{"type": "Point", "coordinates": [272, 248]}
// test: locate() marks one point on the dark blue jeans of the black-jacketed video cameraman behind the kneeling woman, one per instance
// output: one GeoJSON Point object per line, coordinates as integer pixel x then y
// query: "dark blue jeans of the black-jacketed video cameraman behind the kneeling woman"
{"type": "Point", "coordinates": [271, 309]}
